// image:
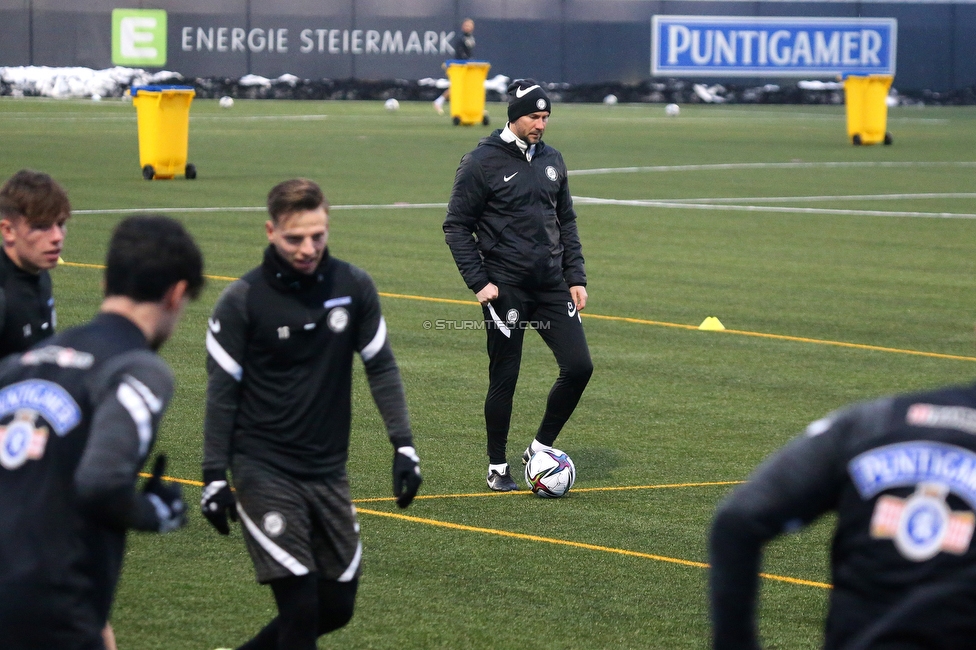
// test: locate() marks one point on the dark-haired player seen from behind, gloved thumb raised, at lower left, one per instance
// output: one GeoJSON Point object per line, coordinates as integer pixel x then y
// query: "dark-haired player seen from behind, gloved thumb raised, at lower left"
{"type": "Point", "coordinates": [78, 419]}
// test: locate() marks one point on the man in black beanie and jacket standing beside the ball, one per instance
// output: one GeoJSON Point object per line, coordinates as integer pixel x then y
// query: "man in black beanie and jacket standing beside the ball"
{"type": "Point", "coordinates": [512, 230]}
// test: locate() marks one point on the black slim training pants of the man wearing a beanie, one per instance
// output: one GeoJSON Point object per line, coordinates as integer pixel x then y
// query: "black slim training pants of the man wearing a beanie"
{"type": "Point", "coordinates": [553, 315]}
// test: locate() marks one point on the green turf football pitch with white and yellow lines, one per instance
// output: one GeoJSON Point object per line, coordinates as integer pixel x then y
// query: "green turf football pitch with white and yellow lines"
{"type": "Point", "coordinates": [771, 221]}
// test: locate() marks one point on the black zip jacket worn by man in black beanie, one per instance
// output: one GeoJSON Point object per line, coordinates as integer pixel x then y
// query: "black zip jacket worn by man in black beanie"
{"type": "Point", "coordinates": [511, 221]}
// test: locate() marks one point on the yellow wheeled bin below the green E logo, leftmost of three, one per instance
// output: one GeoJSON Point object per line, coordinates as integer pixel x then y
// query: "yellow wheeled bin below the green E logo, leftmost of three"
{"type": "Point", "coordinates": [163, 114]}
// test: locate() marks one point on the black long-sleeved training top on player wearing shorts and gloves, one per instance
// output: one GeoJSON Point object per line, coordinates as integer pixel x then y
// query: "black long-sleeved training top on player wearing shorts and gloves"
{"type": "Point", "coordinates": [280, 346]}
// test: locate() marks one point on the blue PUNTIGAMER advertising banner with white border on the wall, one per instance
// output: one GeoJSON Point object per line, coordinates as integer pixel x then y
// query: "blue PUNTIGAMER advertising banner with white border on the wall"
{"type": "Point", "coordinates": [710, 46]}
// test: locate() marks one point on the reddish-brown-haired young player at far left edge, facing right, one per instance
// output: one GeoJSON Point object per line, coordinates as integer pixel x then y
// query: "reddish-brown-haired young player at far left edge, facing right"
{"type": "Point", "coordinates": [33, 212]}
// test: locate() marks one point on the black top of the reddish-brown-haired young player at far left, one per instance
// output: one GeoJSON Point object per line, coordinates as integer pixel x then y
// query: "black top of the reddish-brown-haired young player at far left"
{"type": "Point", "coordinates": [26, 307]}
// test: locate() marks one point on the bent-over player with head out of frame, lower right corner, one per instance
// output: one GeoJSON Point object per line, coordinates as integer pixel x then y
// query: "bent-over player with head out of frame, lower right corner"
{"type": "Point", "coordinates": [900, 474]}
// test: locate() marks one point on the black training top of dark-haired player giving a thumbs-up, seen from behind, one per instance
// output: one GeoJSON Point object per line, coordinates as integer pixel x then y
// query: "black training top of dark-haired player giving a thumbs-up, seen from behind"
{"type": "Point", "coordinates": [78, 417]}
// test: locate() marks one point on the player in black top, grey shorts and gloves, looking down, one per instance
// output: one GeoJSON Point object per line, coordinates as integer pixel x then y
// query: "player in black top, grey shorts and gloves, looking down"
{"type": "Point", "coordinates": [280, 349]}
